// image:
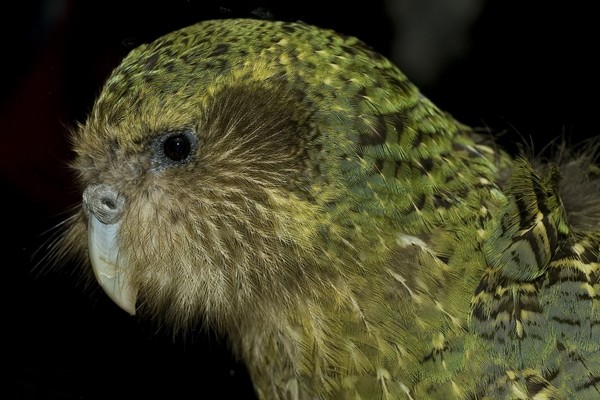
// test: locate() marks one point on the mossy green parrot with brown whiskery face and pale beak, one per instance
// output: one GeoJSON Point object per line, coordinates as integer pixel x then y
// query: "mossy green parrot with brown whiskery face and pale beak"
{"type": "Point", "coordinates": [289, 187]}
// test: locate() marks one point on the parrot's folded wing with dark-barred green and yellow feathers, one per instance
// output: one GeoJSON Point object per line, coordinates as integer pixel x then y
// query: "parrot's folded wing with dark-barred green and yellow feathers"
{"type": "Point", "coordinates": [537, 306]}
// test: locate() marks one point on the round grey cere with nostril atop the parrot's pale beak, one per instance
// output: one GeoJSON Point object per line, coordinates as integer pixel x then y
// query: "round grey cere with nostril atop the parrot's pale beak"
{"type": "Point", "coordinates": [104, 202]}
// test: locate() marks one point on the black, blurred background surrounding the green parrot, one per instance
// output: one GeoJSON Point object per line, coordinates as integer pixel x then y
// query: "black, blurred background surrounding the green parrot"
{"type": "Point", "coordinates": [528, 73]}
